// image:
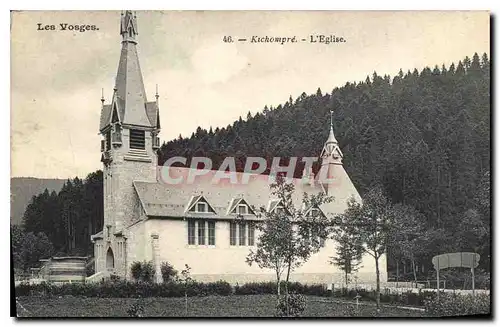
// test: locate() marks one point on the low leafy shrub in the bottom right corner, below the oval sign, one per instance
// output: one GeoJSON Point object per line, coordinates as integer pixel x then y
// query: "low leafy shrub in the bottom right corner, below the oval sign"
{"type": "Point", "coordinates": [458, 305]}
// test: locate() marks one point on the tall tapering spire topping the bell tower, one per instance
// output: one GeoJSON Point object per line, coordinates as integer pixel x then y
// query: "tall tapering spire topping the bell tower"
{"type": "Point", "coordinates": [130, 96]}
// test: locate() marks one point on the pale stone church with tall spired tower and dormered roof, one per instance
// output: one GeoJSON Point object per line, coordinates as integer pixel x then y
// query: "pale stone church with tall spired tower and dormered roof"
{"type": "Point", "coordinates": [146, 219]}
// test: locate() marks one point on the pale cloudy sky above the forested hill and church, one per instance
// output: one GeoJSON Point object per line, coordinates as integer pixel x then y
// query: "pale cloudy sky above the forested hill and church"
{"type": "Point", "coordinates": [57, 76]}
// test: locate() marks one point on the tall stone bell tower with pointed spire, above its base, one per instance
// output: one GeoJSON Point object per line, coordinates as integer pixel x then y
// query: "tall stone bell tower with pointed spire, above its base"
{"type": "Point", "coordinates": [129, 126]}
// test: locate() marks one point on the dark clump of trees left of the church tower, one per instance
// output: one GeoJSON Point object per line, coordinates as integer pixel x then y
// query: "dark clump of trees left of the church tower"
{"type": "Point", "coordinates": [66, 219]}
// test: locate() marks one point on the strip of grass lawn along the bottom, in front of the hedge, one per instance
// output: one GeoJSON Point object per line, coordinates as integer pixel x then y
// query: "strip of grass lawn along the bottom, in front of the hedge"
{"type": "Point", "coordinates": [210, 306]}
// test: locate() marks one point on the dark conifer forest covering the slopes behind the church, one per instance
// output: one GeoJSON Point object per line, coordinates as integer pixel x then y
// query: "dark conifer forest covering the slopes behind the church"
{"type": "Point", "coordinates": [423, 135]}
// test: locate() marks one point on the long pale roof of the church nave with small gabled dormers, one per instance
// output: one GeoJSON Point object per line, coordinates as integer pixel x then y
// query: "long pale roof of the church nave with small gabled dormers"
{"type": "Point", "coordinates": [167, 200]}
